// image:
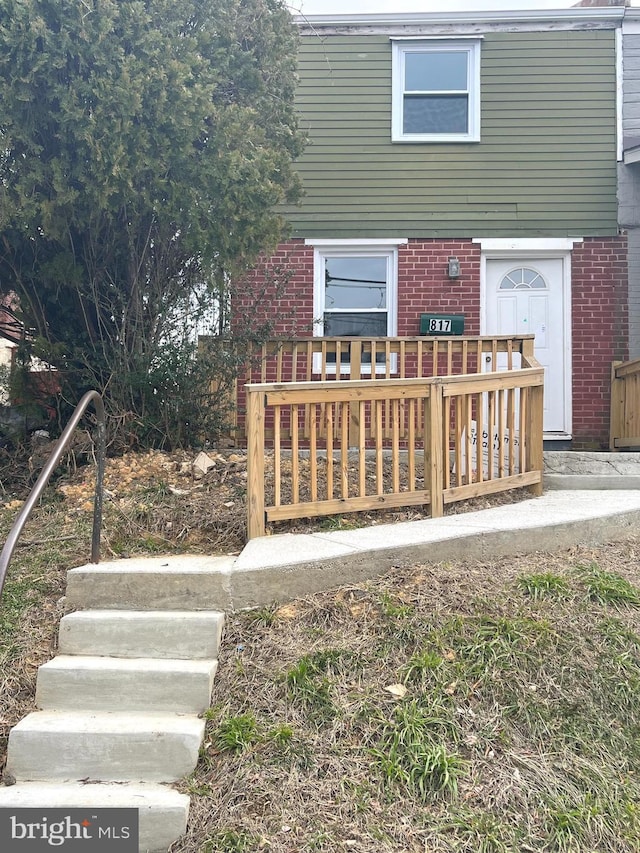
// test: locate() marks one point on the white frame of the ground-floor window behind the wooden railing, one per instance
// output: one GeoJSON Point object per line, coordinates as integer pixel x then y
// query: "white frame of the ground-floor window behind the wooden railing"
{"type": "Point", "coordinates": [355, 248]}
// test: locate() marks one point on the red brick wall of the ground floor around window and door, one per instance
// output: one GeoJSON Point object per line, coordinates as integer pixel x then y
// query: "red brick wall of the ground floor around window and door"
{"type": "Point", "coordinates": [599, 308]}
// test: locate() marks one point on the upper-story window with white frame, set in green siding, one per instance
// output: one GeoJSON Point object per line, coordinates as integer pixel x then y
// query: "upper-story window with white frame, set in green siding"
{"type": "Point", "coordinates": [436, 91]}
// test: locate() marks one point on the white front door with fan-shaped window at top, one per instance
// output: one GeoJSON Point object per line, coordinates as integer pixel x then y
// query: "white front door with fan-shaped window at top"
{"type": "Point", "coordinates": [527, 295]}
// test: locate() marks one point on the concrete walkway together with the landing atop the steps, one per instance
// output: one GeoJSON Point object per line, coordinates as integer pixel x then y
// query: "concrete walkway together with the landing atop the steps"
{"type": "Point", "coordinates": [285, 566]}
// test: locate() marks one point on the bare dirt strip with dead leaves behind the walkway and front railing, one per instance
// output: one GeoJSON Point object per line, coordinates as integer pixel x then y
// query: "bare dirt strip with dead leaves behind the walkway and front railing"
{"type": "Point", "coordinates": [170, 500]}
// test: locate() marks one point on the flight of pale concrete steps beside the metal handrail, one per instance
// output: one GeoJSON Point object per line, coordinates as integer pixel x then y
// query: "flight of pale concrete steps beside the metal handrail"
{"type": "Point", "coordinates": [120, 707]}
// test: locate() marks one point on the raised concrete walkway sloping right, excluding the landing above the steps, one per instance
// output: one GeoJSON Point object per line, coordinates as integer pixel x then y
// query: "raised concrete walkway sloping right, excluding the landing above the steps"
{"type": "Point", "coordinates": [285, 566]}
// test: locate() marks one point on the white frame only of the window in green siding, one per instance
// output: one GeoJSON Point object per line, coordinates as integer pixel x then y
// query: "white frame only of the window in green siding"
{"type": "Point", "coordinates": [471, 47]}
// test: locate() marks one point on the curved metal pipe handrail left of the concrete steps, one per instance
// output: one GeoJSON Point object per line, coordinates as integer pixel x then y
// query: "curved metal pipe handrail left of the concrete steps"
{"type": "Point", "coordinates": [41, 483]}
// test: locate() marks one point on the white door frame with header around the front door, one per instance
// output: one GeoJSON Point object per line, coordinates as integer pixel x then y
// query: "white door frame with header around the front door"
{"type": "Point", "coordinates": [556, 248]}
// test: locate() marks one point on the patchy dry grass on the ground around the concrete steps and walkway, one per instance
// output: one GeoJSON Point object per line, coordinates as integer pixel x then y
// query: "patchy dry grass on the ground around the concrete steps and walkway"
{"type": "Point", "coordinates": [518, 730]}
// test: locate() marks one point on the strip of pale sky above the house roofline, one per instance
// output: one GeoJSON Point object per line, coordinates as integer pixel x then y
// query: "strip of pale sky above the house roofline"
{"type": "Point", "coordinates": [320, 7]}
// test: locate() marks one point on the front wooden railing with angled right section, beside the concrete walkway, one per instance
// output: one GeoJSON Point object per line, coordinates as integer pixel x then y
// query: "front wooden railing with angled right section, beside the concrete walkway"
{"type": "Point", "coordinates": [364, 444]}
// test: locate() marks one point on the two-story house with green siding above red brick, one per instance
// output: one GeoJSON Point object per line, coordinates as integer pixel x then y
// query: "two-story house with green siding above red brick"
{"type": "Point", "coordinates": [466, 163]}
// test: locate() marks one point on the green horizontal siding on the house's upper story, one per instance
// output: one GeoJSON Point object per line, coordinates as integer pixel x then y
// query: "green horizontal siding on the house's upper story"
{"type": "Point", "coordinates": [545, 165]}
